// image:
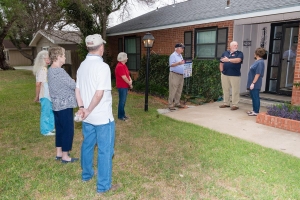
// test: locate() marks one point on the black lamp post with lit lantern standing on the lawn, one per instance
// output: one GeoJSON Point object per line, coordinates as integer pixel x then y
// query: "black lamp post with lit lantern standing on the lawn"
{"type": "Point", "coordinates": [148, 40]}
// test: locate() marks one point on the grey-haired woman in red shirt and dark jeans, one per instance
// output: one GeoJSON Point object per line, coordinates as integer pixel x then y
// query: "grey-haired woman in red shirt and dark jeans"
{"type": "Point", "coordinates": [123, 82]}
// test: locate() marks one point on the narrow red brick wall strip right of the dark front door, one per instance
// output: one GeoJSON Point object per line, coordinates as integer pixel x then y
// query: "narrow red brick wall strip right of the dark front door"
{"type": "Point", "coordinates": [296, 91]}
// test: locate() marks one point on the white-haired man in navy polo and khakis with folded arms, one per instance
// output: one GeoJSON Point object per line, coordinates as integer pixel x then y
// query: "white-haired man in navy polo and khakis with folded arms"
{"type": "Point", "coordinates": [230, 67]}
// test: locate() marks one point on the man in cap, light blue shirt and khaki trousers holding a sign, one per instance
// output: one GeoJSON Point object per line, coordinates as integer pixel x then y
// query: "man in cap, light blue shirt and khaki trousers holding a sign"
{"type": "Point", "coordinates": [176, 64]}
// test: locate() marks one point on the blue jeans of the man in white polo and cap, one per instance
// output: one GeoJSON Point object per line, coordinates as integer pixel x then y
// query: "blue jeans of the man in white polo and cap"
{"type": "Point", "coordinates": [104, 136]}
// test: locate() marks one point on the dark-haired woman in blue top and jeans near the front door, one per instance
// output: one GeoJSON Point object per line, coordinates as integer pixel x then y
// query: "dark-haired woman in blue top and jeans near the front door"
{"type": "Point", "coordinates": [254, 82]}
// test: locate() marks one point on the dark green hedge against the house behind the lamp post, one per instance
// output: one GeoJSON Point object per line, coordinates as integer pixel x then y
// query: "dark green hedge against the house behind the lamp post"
{"type": "Point", "coordinates": [204, 83]}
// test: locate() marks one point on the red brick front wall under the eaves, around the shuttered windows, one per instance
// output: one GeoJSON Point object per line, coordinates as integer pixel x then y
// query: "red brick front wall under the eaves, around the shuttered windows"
{"type": "Point", "coordinates": [166, 39]}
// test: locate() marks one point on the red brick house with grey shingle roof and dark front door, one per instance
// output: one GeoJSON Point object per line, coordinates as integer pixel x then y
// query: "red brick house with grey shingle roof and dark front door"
{"type": "Point", "coordinates": [207, 27]}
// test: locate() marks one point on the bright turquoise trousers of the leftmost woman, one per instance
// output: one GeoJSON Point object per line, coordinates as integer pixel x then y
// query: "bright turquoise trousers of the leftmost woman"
{"type": "Point", "coordinates": [47, 117]}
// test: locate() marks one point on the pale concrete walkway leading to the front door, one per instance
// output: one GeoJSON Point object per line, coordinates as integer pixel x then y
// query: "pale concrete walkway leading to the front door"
{"type": "Point", "coordinates": [239, 124]}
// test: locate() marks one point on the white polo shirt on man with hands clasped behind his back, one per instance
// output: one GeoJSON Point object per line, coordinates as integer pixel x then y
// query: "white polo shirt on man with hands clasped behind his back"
{"type": "Point", "coordinates": [94, 74]}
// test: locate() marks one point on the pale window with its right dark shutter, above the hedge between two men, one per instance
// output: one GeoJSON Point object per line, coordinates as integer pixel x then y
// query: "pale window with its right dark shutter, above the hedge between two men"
{"type": "Point", "coordinates": [210, 43]}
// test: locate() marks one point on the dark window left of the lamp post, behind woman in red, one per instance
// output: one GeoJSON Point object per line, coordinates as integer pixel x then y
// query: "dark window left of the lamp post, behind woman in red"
{"type": "Point", "coordinates": [133, 49]}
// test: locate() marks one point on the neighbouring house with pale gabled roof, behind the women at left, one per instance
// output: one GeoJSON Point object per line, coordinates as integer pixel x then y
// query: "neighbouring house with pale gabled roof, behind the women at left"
{"type": "Point", "coordinates": [69, 40]}
